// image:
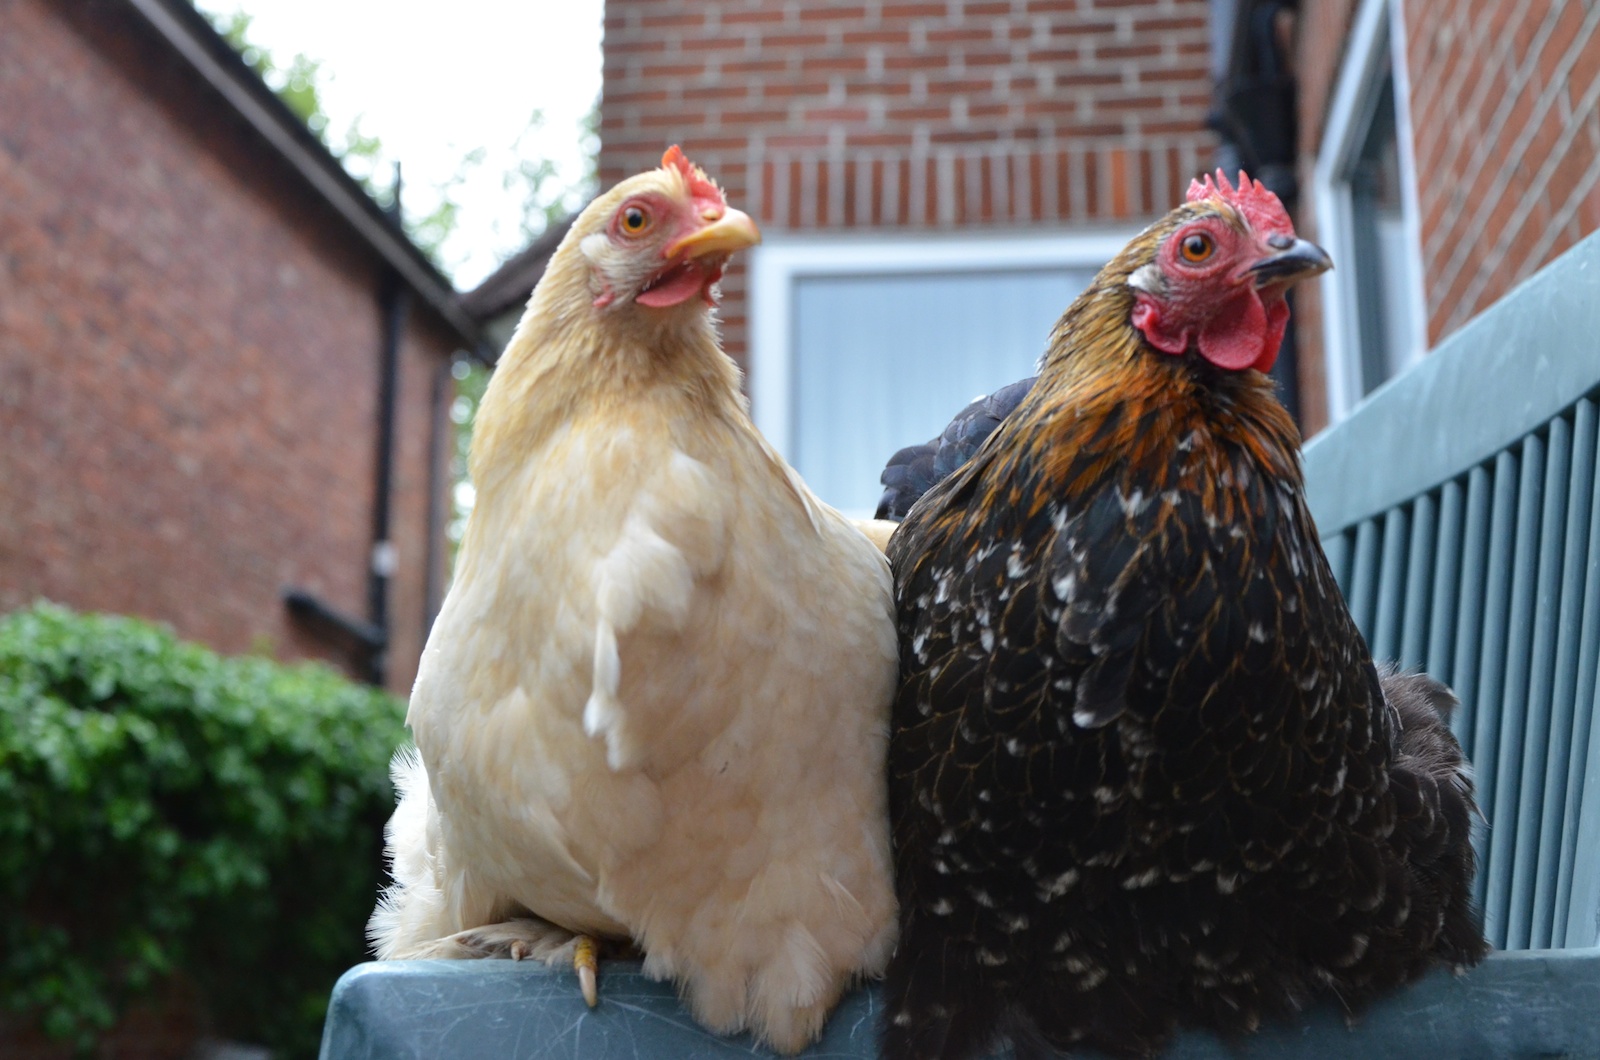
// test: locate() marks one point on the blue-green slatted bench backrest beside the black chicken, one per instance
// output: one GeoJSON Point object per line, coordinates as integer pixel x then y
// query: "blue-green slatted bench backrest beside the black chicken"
{"type": "Point", "coordinates": [1458, 510]}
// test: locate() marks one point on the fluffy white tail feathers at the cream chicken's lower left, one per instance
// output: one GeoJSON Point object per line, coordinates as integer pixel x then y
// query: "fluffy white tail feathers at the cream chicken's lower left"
{"type": "Point", "coordinates": [414, 904]}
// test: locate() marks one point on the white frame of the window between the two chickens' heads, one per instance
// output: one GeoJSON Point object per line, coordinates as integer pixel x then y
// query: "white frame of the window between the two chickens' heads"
{"type": "Point", "coordinates": [783, 260]}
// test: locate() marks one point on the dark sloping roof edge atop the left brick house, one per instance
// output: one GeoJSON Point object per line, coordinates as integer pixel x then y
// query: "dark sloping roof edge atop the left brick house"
{"type": "Point", "coordinates": [220, 66]}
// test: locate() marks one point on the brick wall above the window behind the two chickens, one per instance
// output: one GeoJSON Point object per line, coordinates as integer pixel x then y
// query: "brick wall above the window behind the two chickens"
{"type": "Point", "coordinates": [913, 114]}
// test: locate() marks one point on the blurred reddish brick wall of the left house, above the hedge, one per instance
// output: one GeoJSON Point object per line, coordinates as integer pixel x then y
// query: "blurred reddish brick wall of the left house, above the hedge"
{"type": "Point", "coordinates": [188, 356]}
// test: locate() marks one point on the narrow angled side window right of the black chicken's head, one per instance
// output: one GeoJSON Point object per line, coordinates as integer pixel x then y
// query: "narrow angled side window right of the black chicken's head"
{"type": "Point", "coordinates": [1367, 201]}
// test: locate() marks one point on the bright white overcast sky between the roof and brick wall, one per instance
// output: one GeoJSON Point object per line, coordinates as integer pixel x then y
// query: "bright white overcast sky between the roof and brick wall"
{"type": "Point", "coordinates": [438, 81]}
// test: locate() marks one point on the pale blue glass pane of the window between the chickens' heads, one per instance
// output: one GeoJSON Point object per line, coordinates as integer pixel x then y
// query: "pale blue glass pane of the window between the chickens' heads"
{"type": "Point", "coordinates": [886, 361]}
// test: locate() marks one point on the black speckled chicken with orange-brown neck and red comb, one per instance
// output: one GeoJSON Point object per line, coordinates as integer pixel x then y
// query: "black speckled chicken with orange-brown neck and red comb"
{"type": "Point", "coordinates": [1143, 771]}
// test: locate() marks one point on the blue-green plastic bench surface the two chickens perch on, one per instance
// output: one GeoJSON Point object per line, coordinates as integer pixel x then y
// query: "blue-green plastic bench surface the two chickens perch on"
{"type": "Point", "coordinates": [1516, 1005]}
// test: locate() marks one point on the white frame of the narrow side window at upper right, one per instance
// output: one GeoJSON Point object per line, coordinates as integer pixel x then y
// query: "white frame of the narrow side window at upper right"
{"type": "Point", "coordinates": [1378, 25]}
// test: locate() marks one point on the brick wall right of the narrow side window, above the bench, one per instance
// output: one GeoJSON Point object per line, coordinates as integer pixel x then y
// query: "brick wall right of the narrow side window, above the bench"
{"type": "Point", "coordinates": [1506, 113]}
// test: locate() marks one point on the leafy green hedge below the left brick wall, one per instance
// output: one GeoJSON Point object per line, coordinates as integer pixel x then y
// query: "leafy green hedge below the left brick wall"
{"type": "Point", "coordinates": [169, 809]}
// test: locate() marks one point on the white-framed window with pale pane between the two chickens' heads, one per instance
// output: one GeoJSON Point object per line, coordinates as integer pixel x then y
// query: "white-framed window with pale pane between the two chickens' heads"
{"type": "Point", "coordinates": [863, 347]}
